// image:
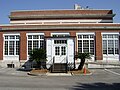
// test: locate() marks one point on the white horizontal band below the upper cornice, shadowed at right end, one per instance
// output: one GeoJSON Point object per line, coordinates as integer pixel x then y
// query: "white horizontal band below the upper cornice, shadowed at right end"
{"type": "Point", "coordinates": [60, 21]}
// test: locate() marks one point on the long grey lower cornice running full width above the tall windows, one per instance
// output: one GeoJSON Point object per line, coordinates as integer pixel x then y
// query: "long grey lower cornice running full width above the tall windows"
{"type": "Point", "coordinates": [65, 28]}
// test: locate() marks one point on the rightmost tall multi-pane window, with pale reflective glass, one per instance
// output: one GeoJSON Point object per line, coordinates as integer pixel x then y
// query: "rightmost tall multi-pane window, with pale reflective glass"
{"type": "Point", "coordinates": [110, 43]}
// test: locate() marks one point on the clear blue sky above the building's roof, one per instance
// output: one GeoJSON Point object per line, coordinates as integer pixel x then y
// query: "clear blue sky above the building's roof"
{"type": "Point", "coordinates": [6, 6]}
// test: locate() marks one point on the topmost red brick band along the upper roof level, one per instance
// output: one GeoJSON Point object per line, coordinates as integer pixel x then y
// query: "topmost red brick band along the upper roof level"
{"type": "Point", "coordinates": [46, 12]}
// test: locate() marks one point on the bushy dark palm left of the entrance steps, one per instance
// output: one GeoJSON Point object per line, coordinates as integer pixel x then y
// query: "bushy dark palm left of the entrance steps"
{"type": "Point", "coordinates": [39, 56]}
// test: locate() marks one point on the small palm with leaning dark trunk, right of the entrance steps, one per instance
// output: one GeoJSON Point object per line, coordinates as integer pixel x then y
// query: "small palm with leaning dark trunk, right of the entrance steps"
{"type": "Point", "coordinates": [82, 56]}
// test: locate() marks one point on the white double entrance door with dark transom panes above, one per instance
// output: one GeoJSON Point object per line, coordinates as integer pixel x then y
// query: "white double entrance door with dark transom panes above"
{"type": "Point", "coordinates": [60, 51]}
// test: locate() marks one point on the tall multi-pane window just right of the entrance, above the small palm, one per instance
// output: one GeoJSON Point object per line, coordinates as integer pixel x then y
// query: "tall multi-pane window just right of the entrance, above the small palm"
{"type": "Point", "coordinates": [86, 43]}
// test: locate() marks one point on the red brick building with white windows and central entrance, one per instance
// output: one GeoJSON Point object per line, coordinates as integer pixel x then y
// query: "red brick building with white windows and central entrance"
{"type": "Point", "coordinates": [62, 33]}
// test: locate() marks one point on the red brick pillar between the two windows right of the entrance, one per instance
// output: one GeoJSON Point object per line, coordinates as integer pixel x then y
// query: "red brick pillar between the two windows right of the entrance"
{"type": "Point", "coordinates": [98, 46]}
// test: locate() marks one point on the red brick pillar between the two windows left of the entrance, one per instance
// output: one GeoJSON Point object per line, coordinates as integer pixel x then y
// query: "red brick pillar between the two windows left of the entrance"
{"type": "Point", "coordinates": [23, 46]}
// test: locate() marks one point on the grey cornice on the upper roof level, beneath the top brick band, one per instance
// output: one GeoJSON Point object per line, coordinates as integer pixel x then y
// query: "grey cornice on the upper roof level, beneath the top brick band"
{"type": "Point", "coordinates": [62, 16]}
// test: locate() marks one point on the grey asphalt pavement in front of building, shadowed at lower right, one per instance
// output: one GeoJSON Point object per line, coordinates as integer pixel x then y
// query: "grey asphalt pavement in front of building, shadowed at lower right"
{"type": "Point", "coordinates": [108, 79]}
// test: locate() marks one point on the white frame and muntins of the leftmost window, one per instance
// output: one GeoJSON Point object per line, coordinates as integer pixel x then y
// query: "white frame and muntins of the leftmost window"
{"type": "Point", "coordinates": [15, 34]}
